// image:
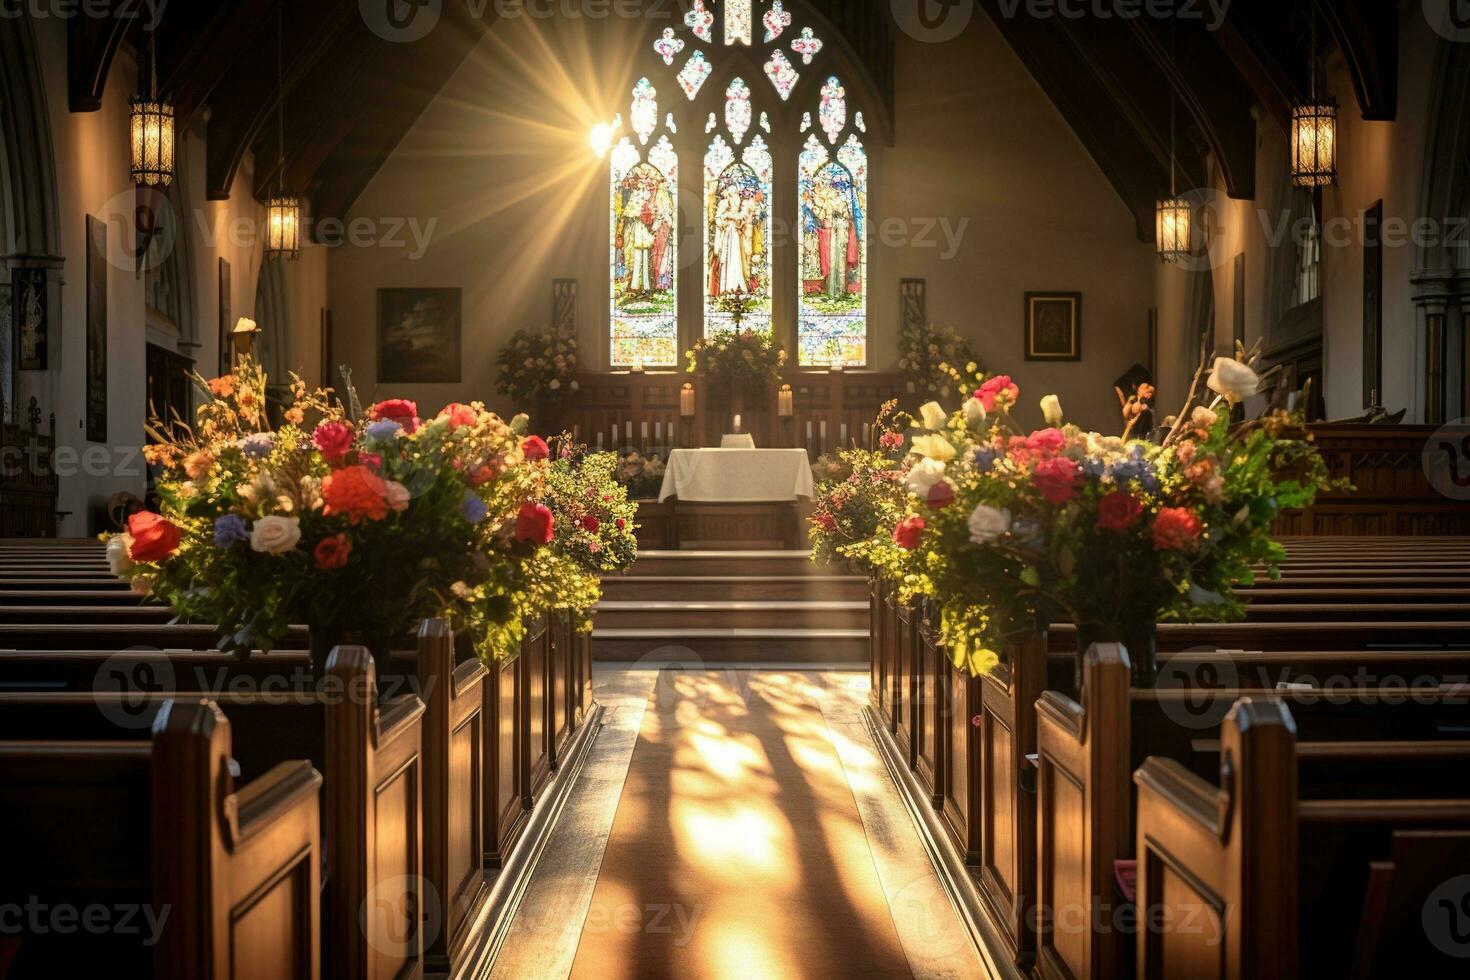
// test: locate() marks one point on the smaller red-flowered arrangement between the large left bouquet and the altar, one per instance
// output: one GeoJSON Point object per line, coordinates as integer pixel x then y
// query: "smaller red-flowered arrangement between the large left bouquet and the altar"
{"type": "Point", "coordinates": [596, 537]}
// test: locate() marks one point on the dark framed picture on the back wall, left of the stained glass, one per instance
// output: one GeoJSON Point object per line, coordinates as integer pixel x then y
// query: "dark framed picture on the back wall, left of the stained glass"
{"type": "Point", "coordinates": [418, 336]}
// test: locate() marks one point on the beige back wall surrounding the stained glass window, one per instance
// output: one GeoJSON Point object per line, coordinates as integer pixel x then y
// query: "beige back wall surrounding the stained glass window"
{"type": "Point", "coordinates": [987, 195]}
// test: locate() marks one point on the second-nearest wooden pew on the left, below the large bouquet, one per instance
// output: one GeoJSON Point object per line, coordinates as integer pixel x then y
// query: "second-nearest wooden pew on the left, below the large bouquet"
{"type": "Point", "coordinates": [373, 759]}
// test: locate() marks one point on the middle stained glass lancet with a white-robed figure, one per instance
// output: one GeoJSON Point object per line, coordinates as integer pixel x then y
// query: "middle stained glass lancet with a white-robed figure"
{"type": "Point", "coordinates": [737, 236]}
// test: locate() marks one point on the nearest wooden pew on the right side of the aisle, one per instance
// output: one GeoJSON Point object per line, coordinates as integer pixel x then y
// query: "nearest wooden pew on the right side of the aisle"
{"type": "Point", "coordinates": [1286, 885]}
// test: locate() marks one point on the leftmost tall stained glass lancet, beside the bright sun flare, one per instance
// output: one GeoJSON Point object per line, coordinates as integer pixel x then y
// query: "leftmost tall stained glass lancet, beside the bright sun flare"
{"type": "Point", "coordinates": [645, 242]}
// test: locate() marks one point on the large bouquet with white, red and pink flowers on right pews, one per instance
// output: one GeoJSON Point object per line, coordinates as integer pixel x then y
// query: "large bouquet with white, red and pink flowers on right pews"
{"type": "Point", "coordinates": [1009, 528]}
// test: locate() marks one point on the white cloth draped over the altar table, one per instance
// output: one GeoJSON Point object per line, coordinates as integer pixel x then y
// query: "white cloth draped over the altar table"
{"type": "Point", "coordinates": [737, 475]}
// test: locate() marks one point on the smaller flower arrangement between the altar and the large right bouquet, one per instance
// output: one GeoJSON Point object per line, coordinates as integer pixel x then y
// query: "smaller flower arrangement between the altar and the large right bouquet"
{"type": "Point", "coordinates": [859, 497]}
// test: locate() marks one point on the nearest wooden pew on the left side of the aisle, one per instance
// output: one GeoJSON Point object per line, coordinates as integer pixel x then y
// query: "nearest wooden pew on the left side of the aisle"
{"type": "Point", "coordinates": [233, 872]}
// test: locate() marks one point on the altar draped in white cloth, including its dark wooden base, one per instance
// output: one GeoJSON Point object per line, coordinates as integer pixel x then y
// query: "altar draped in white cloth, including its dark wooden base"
{"type": "Point", "coordinates": [731, 499]}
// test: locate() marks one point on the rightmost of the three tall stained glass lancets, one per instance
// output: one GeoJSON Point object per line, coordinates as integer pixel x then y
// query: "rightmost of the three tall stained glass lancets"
{"type": "Point", "coordinates": [833, 274]}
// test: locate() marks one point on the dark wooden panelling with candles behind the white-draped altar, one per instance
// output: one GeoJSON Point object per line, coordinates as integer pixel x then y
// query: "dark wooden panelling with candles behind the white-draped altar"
{"type": "Point", "coordinates": [642, 411]}
